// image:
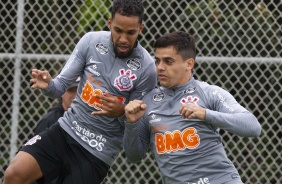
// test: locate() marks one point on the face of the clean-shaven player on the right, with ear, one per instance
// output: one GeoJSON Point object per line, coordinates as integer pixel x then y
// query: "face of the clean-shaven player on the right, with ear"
{"type": "Point", "coordinates": [172, 70]}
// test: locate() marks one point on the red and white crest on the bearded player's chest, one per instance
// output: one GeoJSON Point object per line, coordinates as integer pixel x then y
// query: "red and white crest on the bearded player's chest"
{"type": "Point", "coordinates": [124, 81]}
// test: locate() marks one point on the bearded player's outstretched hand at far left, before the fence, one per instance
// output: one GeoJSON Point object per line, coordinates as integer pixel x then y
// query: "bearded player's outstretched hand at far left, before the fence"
{"type": "Point", "coordinates": [40, 79]}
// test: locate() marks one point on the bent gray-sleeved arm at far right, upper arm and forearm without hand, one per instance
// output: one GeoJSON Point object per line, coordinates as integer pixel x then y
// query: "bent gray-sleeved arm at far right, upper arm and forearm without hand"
{"type": "Point", "coordinates": [226, 113]}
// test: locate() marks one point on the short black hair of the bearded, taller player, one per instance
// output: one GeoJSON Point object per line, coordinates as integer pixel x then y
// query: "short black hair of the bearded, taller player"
{"type": "Point", "coordinates": [128, 8]}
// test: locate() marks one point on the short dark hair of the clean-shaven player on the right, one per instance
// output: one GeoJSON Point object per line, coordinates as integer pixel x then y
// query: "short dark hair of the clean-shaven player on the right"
{"type": "Point", "coordinates": [183, 43]}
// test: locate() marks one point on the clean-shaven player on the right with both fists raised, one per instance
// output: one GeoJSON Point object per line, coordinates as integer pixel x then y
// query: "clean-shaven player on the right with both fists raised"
{"type": "Point", "coordinates": [181, 120]}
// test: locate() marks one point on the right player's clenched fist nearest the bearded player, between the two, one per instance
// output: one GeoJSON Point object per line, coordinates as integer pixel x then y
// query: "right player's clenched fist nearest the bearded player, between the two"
{"type": "Point", "coordinates": [134, 110]}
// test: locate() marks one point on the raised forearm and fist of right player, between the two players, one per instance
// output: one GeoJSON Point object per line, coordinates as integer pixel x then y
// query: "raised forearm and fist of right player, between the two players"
{"type": "Point", "coordinates": [136, 135]}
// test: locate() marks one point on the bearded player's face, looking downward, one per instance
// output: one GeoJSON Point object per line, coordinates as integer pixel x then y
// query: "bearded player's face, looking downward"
{"type": "Point", "coordinates": [124, 32]}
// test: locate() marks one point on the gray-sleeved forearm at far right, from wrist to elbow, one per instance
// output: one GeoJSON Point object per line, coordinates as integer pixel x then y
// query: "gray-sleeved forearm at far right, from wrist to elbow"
{"type": "Point", "coordinates": [243, 124]}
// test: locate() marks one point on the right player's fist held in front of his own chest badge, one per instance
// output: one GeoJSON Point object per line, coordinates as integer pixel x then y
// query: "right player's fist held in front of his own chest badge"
{"type": "Point", "coordinates": [192, 111]}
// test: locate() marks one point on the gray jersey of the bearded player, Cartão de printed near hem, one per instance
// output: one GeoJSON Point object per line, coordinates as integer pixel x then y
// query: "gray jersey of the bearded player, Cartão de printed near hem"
{"type": "Point", "coordinates": [94, 60]}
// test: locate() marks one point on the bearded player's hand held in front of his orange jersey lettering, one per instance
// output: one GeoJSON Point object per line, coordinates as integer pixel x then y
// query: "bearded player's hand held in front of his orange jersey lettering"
{"type": "Point", "coordinates": [110, 105]}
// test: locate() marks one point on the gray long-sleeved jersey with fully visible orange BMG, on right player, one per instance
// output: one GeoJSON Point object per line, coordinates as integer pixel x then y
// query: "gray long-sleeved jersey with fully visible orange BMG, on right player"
{"type": "Point", "coordinates": [189, 151]}
